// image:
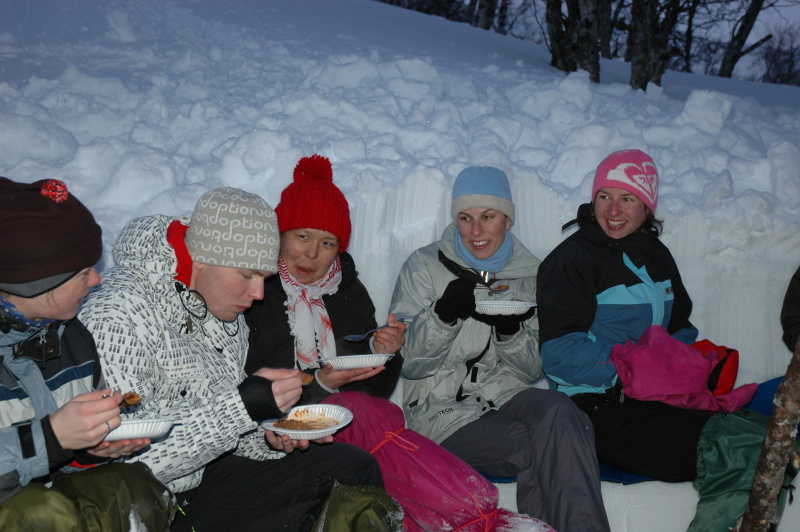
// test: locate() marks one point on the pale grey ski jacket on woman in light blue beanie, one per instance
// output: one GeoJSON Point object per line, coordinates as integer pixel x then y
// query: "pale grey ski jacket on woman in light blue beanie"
{"type": "Point", "coordinates": [455, 374]}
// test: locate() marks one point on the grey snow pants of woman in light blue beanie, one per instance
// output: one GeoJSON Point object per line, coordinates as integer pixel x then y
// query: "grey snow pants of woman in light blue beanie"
{"type": "Point", "coordinates": [547, 442]}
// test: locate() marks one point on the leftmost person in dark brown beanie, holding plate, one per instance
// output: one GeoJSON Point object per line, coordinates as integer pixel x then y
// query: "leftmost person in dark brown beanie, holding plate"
{"type": "Point", "coordinates": [55, 410]}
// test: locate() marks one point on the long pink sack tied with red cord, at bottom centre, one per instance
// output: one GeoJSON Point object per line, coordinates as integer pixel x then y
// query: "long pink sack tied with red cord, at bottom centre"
{"type": "Point", "coordinates": [437, 490]}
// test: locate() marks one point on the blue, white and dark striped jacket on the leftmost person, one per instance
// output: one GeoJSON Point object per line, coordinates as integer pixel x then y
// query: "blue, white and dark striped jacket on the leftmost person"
{"type": "Point", "coordinates": [40, 370]}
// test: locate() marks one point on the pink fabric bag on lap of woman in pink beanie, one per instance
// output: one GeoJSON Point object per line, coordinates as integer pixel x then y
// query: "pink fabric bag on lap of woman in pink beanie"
{"type": "Point", "coordinates": [660, 368]}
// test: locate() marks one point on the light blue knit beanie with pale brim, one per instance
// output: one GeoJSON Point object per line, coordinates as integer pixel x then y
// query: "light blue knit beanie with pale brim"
{"type": "Point", "coordinates": [482, 186]}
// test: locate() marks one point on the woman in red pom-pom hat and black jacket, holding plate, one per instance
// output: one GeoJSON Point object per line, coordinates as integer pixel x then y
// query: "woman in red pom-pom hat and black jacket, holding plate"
{"type": "Point", "coordinates": [317, 298]}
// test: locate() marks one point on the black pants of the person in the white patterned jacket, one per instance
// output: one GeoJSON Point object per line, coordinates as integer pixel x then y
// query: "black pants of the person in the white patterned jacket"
{"type": "Point", "coordinates": [240, 494]}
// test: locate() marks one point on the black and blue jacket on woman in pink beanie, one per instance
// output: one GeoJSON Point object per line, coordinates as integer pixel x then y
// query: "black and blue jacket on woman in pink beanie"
{"type": "Point", "coordinates": [595, 292]}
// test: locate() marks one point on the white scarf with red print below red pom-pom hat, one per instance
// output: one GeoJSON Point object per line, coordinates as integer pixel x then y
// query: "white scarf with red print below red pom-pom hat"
{"type": "Point", "coordinates": [308, 317]}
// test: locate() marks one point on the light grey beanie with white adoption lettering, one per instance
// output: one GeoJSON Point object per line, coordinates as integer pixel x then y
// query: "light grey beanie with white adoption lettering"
{"type": "Point", "coordinates": [234, 228]}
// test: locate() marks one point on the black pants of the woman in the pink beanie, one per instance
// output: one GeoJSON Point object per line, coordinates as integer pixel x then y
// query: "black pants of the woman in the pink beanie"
{"type": "Point", "coordinates": [647, 438]}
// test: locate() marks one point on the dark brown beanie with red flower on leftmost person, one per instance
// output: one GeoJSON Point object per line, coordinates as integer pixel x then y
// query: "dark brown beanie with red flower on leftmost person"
{"type": "Point", "coordinates": [48, 236]}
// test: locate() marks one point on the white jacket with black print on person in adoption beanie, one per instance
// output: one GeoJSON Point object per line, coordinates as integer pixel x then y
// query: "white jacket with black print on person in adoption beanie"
{"type": "Point", "coordinates": [140, 326]}
